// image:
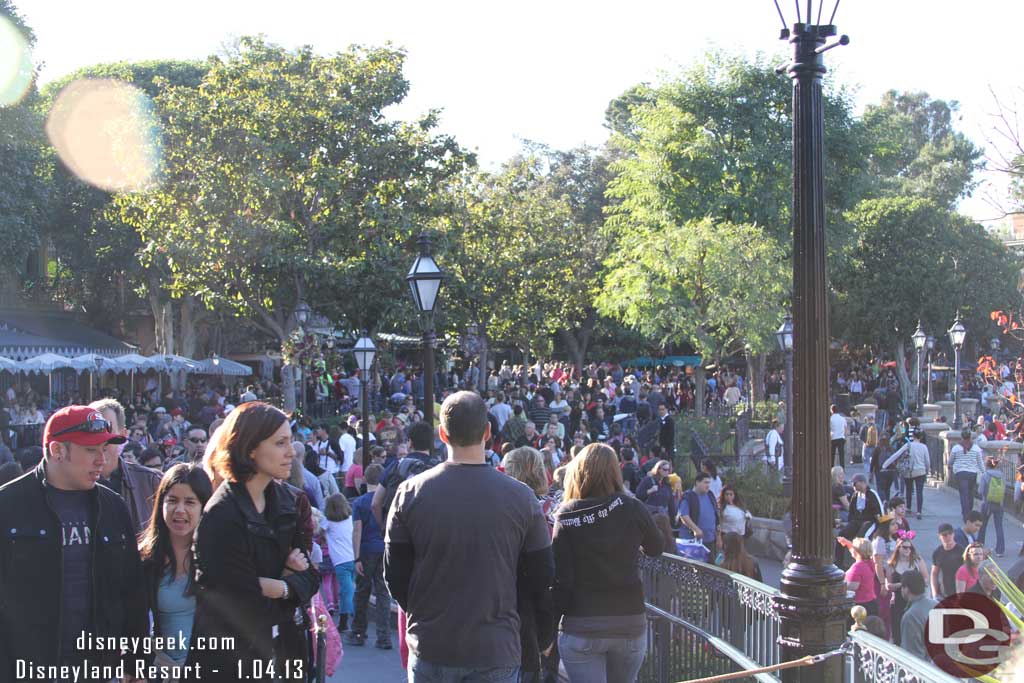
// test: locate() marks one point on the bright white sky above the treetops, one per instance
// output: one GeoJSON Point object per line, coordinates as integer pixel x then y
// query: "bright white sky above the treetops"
{"type": "Point", "coordinates": [545, 71]}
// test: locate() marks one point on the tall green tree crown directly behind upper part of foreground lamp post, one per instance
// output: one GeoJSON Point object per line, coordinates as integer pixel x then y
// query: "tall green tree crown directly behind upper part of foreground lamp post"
{"type": "Point", "coordinates": [716, 142]}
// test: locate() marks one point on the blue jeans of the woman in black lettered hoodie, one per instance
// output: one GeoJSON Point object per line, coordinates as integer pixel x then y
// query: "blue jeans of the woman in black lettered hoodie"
{"type": "Point", "coordinates": [603, 660]}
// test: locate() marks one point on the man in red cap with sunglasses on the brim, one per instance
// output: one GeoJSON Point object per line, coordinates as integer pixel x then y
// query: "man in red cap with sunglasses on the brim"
{"type": "Point", "coordinates": [70, 552]}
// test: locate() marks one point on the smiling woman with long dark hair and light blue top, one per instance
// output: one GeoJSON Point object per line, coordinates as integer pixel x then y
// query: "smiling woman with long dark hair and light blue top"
{"type": "Point", "coordinates": [164, 547]}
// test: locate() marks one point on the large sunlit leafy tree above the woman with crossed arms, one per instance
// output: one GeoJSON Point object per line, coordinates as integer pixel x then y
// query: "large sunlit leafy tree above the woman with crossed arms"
{"type": "Point", "coordinates": [283, 181]}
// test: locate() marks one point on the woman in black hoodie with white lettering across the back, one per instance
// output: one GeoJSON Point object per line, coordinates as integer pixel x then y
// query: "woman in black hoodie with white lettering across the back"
{"type": "Point", "coordinates": [600, 533]}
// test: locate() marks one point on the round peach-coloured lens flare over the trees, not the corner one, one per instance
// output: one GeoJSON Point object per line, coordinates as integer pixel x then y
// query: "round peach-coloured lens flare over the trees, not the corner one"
{"type": "Point", "coordinates": [107, 134]}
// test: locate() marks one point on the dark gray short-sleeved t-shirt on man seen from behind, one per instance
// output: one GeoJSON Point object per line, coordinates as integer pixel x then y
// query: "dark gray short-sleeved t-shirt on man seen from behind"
{"type": "Point", "coordinates": [468, 526]}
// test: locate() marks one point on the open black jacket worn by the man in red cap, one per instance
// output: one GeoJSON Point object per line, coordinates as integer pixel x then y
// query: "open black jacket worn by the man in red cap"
{"type": "Point", "coordinates": [32, 574]}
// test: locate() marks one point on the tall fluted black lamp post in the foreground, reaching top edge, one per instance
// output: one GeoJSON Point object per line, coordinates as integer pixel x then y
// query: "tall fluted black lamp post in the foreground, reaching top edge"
{"type": "Point", "coordinates": [813, 605]}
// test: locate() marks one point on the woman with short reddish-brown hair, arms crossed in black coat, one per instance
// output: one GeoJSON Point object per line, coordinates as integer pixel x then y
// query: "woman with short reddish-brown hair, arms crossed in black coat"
{"type": "Point", "coordinates": [252, 553]}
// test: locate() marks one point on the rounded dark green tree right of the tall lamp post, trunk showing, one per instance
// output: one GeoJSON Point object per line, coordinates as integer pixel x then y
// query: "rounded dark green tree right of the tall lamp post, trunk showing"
{"type": "Point", "coordinates": [915, 260]}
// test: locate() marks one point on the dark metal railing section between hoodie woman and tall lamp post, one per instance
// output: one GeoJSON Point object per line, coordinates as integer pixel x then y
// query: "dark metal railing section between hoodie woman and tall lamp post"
{"type": "Point", "coordinates": [696, 609]}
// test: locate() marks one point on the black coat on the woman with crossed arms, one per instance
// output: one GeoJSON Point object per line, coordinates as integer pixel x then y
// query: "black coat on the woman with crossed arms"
{"type": "Point", "coordinates": [235, 547]}
